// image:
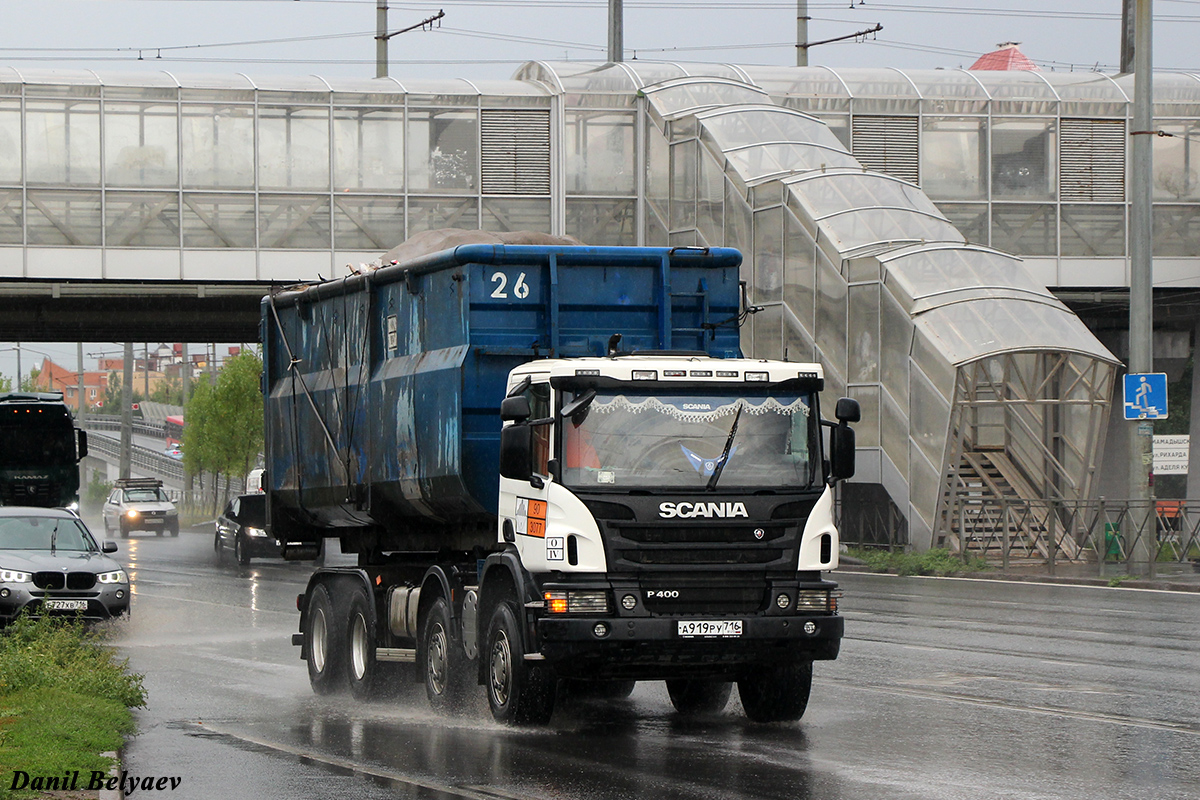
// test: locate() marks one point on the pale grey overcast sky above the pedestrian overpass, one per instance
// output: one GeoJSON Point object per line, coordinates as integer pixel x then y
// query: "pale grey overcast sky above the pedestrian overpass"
{"type": "Point", "coordinates": [490, 39]}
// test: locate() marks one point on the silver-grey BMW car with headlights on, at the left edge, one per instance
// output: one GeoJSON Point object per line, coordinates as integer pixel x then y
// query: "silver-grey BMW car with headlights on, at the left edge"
{"type": "Point", "coordinates": [51, 564]}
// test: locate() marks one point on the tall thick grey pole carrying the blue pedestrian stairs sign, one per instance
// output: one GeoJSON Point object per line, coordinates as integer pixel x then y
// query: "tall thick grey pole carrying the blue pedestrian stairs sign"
{"type": "Point", "coordinates": [1142, 266]}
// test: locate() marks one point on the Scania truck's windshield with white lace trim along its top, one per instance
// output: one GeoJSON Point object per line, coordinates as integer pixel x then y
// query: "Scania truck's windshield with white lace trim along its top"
{"type": "Point", "coordinates": [683, 441]}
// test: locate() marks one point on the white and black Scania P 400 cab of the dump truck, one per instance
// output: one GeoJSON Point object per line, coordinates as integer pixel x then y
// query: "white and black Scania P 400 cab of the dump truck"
{"type": "Point", "coordinates": [679, 501]}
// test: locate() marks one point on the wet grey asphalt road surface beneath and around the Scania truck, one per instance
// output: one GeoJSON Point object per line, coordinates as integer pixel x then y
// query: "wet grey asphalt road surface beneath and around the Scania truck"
{"type": "Point", "coordinates": [946, 689]}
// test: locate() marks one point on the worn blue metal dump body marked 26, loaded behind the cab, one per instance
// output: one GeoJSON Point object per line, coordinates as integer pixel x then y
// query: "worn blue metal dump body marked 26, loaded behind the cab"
{"type": "Point", "coordinates": [383, 390]}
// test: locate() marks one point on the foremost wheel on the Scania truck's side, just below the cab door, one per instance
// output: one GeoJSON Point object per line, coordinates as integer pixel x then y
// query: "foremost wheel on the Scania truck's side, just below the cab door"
{"type": "Point", "coordinates": [519, 693]}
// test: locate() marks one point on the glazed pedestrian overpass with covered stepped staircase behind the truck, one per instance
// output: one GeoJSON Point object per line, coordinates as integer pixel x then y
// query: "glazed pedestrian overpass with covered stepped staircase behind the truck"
{"type": "Point", "coordinates": [879, 210]}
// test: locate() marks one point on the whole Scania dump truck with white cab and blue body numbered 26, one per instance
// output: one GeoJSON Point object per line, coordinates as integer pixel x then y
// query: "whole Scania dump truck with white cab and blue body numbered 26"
{"type": "Point", "coordinates": [555, 470]}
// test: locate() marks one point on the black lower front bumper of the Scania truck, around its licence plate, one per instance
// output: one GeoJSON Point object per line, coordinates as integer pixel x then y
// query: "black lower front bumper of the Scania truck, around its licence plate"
{"type": "Point", "coordinates": [651, 649]}
